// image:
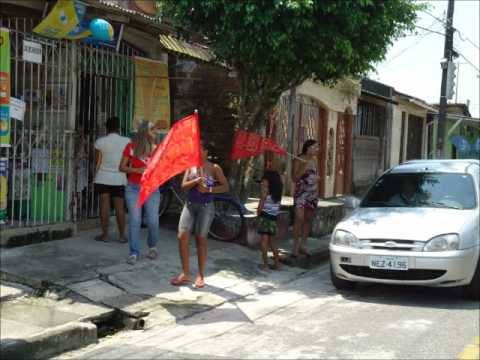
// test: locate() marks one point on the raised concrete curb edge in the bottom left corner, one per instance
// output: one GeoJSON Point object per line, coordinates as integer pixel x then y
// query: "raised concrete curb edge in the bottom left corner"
{"type": "Point", "coordinates": [50, 342]}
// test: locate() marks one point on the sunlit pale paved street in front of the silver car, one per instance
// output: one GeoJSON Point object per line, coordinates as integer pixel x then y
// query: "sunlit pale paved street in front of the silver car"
{"type": "Point", "coordinates": [308, 318]}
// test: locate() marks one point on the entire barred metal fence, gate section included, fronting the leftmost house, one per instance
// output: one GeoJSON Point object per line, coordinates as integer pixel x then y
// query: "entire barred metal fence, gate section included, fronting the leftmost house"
{"type": "Point", "coordinates": [68, 98]}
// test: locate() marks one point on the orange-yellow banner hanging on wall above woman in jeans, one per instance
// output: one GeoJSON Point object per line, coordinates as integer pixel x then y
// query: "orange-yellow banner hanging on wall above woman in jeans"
{"type": "Point", "coordinates": [152, 94]}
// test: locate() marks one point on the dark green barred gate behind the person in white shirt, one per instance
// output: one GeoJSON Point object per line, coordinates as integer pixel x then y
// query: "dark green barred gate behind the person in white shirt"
{"type": "Point", "coordinates": [105, 87]}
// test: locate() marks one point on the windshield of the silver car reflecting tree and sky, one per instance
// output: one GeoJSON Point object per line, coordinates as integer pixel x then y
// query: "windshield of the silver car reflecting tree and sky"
{"type": "Point", "coordinates": [444, 190]}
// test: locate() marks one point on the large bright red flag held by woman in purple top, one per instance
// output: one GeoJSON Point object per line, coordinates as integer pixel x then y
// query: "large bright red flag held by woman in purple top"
{"type": "Point", "coordinates": [179, 151]}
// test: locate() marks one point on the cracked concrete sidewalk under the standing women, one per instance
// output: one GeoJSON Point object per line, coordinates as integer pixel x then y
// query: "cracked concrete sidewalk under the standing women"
{"type": "Point", "coordinates": [77, 283]}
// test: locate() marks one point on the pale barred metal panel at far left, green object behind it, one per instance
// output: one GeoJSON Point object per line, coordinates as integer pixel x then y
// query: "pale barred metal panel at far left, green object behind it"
{"type": "Point", "coordinates": [39, 154]}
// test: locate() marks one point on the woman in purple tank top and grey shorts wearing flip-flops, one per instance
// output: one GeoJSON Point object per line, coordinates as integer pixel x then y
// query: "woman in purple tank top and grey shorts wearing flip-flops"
{"type": "Point", "coordinates": [197, 214]}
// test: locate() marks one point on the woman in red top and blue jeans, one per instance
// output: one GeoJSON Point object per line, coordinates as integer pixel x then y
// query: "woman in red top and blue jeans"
{"type": "Point", "coordinates": [134, 161]}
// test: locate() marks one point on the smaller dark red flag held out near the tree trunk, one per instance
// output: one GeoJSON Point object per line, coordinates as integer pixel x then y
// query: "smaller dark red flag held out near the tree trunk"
{"type": "Point", "coordinates": [248, 144]}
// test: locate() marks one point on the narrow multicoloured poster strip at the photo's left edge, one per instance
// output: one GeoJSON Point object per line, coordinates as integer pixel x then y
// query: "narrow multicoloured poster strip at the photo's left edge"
{"type": "Point", "coordinates": [4, 87]}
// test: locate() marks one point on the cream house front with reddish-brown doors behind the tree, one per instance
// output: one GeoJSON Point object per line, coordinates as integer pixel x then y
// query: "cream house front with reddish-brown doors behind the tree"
{"type": "Point", "coordinates": [325, 114]}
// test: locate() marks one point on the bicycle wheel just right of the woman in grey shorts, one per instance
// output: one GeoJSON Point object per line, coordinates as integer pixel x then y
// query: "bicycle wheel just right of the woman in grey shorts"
{"type": "Point", "coordinates": [228, 223]}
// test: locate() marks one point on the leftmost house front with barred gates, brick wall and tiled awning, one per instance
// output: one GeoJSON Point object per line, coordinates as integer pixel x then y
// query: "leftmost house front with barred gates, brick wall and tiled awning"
{"type": "Point", "coordinates": [70, 90]}
